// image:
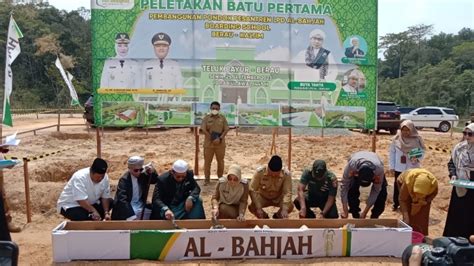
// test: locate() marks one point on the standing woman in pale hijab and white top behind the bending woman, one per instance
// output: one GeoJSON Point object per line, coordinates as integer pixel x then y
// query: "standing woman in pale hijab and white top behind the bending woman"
{"type": "Point", "coordinates": [406, 151]}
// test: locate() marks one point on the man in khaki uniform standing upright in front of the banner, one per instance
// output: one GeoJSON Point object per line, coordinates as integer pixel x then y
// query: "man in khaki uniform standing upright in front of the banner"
{"type": "Point", "coordinates": [215, 127]}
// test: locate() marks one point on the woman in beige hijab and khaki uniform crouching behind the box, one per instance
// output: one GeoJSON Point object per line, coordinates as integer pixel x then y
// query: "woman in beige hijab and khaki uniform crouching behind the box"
{"type": "Point", "coordinates": [230, 199]}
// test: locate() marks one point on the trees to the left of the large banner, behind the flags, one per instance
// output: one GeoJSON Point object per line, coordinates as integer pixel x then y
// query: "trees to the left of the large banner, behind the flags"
{"type": "Point", "coordinates": [47, 32]}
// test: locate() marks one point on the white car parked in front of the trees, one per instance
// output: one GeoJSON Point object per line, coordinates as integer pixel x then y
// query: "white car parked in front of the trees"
{"type": "Point", "coordinates": [439, 118]}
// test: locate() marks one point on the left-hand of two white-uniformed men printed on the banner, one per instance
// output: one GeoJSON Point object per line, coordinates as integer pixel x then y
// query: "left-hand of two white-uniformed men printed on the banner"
{"type": "Point", "coordinates": [120, 72]}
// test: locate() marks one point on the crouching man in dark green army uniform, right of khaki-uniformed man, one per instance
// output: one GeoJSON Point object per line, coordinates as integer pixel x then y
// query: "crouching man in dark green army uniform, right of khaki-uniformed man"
{"type": "Point", "coordinates": [321, 193]}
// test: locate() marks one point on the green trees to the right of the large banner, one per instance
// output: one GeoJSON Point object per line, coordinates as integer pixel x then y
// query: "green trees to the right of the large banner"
{"type": "Point", "coordinates": [418, 71]}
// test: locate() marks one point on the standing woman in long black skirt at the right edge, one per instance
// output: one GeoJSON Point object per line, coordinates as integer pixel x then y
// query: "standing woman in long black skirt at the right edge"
{"type": "Point", "coordinates": [460, 219]}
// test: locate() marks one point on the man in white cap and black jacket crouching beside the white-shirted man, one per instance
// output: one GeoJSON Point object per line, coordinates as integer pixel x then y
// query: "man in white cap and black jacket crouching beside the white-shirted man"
{"type": "Point", "coordinates": [132, 191]}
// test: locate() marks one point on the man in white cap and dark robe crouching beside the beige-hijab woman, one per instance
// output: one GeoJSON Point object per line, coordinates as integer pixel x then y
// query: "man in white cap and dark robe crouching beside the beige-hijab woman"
{"type": "Point", "coordinates": [176, 195]}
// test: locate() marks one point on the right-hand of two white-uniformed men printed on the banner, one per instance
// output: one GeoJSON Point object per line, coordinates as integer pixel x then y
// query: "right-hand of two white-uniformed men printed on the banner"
{"type": "Point", "coordinates": [162, 73]}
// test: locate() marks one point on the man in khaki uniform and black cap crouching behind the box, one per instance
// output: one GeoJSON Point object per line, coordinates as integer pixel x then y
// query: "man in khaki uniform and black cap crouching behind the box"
{"type": "Point", "coordinates": [271, 186]}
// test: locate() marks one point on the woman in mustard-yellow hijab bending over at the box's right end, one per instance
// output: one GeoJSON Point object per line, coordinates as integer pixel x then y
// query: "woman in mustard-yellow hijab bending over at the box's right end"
{"type": "Point", "coordinates": [418, 187]}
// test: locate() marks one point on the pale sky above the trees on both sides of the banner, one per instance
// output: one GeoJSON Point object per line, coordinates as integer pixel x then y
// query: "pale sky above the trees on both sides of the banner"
{"type": "Point", "coordinates": [448, 16]}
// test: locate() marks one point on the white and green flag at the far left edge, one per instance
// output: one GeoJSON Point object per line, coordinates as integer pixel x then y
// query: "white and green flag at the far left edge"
{"type": "Point", "coordinates": [12, 51]}
